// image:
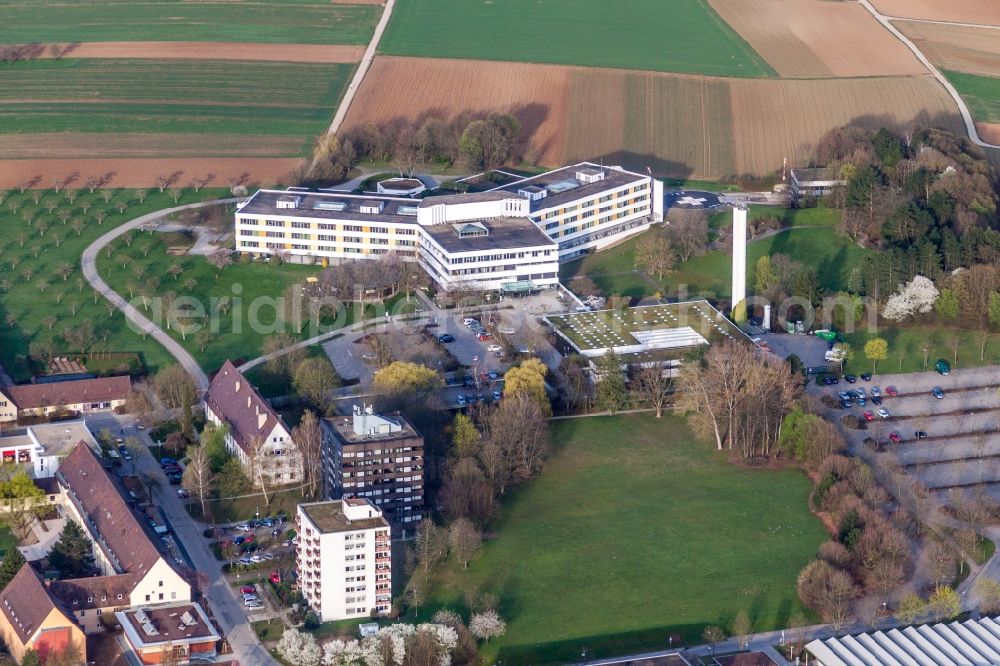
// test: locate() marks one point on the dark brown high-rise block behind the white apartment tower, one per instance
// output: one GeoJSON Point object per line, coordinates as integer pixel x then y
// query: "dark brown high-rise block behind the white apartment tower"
{"type": "Point", "coordinates": [379, 458]}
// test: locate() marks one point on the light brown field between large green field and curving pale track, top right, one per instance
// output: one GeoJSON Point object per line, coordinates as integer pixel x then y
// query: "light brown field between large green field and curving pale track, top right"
{"type": "Point", "coordinates": [818, 38]}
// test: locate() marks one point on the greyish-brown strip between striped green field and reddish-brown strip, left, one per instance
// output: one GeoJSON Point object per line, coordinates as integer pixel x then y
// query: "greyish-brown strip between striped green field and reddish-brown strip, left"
{"type": "Point", "coordinates": [82, 145]}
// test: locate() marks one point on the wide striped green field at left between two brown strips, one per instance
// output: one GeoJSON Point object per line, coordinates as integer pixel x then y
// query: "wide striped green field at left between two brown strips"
{"type": "Point", "coordinates": [170, 96]}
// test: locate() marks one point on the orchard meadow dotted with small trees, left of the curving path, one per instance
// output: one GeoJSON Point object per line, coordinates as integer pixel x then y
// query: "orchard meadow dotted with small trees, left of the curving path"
{"type": "Point", "coordinates": [37, 292]}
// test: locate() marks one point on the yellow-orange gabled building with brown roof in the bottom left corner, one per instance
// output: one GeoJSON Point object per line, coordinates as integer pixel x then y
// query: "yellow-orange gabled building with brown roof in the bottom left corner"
{"type": "Point", "coordinates": [32, 619]}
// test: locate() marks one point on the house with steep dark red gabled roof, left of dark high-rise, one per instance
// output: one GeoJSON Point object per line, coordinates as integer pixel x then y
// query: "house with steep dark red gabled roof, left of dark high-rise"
{"type": "Point", "coordinates": [256, 431]}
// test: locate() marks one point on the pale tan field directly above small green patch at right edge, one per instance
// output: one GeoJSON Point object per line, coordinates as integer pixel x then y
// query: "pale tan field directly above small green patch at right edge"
{"type": "Point", "coordinates": [957, 47]}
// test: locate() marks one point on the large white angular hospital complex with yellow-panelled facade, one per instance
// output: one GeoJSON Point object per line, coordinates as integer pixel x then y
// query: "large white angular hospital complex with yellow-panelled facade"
{"type": "Point", "coordinates": [513, 234]}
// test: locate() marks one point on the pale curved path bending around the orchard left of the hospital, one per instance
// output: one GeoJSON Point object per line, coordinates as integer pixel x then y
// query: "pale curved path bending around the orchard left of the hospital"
{"type": "Point", "coordinates": [88, 264]}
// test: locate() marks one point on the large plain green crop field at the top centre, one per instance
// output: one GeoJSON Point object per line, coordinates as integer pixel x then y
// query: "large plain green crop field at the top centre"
{"type": "Point", "coordinates": [663, 35]}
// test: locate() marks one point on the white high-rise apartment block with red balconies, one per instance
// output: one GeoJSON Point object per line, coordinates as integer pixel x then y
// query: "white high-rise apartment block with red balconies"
{"type": "Point", "coordinates": [344, 558]}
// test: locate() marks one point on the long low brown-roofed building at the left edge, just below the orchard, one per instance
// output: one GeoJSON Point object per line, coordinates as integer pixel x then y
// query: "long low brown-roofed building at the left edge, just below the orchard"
{"type": "Point", "coordinates": [80, 396]}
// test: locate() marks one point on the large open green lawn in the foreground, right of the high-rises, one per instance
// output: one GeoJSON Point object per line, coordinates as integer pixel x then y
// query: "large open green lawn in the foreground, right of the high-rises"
{"type": "Point", "coordinates": [634, 532]}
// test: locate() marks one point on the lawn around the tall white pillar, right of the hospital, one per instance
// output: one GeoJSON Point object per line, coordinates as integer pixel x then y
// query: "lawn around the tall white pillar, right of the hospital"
{"type": "Point", "coordinates": [708, 276]}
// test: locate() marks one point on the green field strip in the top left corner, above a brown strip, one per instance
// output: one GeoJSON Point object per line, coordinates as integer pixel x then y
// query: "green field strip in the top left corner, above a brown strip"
{"type": "Point", "coordinates": [270, 21]}
